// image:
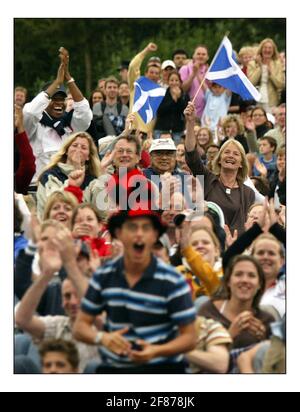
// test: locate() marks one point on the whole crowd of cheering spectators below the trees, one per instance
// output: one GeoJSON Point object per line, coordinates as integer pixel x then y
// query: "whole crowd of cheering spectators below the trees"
{"type": "Point", "coordinates": [152, 247]}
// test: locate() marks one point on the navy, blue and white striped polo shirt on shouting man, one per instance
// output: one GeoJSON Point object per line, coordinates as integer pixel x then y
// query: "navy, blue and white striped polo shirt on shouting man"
{"type": "Point", "coordinates": [153, 309]}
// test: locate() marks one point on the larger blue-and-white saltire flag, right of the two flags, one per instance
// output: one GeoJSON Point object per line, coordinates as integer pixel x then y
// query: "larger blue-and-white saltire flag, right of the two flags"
{"type": "Point", "coordinates": [225, 71]}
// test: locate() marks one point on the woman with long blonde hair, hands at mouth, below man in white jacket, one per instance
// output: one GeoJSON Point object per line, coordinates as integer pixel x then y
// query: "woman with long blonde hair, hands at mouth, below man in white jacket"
{"type": "Point", "coordinates": [76, 164]}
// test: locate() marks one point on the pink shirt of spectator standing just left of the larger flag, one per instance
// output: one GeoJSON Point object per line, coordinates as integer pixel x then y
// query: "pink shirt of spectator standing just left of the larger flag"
{"type": "Point", "coordinates": [185, 72]}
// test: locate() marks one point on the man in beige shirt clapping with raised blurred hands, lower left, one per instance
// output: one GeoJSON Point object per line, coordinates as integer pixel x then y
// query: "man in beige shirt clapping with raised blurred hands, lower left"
{"type": "Point", "coordinates": [53, 327]}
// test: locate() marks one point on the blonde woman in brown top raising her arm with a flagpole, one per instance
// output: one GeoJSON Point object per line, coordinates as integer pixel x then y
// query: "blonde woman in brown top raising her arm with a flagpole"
{"type": "Point", "coordinates": [225, 186]}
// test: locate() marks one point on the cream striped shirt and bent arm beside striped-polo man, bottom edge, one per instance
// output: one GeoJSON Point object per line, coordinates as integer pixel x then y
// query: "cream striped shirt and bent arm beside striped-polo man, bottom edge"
{"type": "Point", "coordinates": [211, 354]}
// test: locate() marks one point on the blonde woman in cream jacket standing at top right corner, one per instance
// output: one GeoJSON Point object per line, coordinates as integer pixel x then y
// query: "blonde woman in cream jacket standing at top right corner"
{"type": "Point", "coordinates": [266, 72]}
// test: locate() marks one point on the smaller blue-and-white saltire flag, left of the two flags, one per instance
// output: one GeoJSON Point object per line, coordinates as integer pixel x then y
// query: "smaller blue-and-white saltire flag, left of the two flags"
{"type": "Point", "coordinates": [147, 98]}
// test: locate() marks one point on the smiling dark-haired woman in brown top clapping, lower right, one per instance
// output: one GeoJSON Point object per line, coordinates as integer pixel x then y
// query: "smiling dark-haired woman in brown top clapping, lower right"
{"type": "Point", "coordinates": [237, 308]}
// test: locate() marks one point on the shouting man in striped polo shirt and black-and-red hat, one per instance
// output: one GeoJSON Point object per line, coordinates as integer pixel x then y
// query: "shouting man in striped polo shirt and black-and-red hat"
{"type": "Point", "coordinates": [126, 340]}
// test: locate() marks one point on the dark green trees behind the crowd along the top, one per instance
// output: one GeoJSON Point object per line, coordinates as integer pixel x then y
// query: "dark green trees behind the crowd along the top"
{"type": "Point", "coordinates": [97, 46]}
